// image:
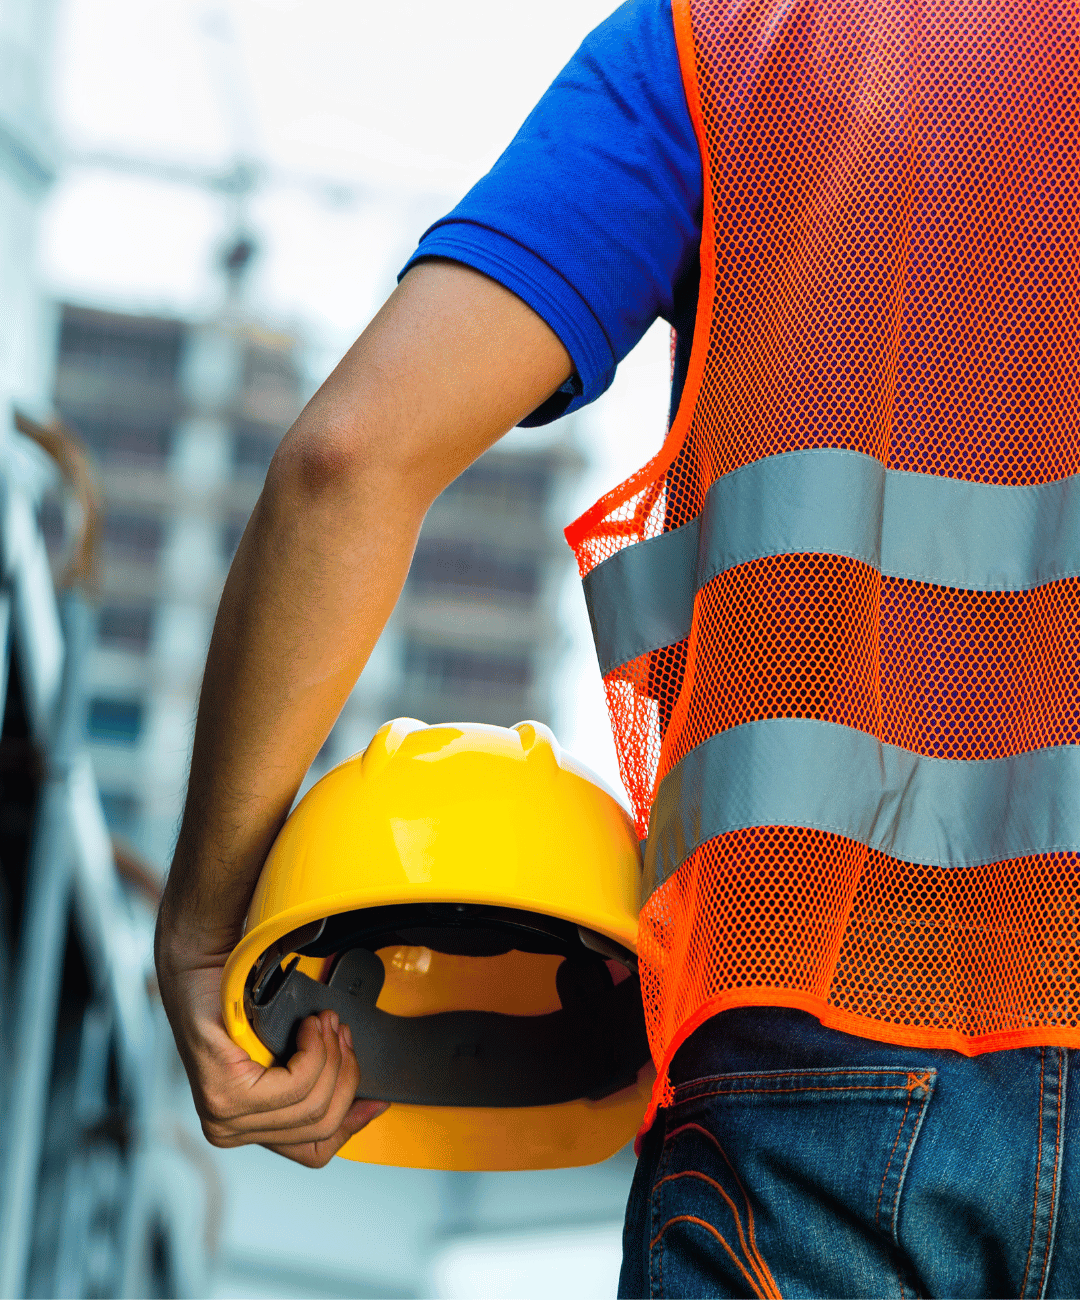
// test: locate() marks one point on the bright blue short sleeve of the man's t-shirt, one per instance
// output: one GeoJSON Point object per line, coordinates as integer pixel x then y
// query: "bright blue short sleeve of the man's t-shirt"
{"type": "Point", "coordinates": [593, 216]}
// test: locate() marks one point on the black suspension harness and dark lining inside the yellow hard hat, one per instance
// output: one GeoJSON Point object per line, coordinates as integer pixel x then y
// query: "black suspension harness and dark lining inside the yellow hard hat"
{"type": "Point", "coordinates": [593, 1047]}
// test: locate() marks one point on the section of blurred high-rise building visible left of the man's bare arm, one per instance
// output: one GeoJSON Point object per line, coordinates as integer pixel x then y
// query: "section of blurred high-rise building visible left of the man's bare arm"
{"type": "Point", "coordinates": [181, 421]}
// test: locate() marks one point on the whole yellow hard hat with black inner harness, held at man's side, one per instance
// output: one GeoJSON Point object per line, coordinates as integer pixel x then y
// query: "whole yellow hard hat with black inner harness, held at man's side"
{"type": "Point", "coordinates": [466, 899]}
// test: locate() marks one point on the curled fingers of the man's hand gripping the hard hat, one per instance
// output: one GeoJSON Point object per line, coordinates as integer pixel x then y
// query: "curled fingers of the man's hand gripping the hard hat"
{"type": "Point", "coordinates": [305, 1102]}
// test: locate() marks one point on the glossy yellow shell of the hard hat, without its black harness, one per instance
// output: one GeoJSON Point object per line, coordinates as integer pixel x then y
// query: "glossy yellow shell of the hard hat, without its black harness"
{"type": "Point", "coordinates": [463, 814]}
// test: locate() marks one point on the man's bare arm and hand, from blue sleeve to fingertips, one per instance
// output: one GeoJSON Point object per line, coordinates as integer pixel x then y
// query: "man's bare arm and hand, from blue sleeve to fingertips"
{"type": "Point", "coordinates": [450, 365]}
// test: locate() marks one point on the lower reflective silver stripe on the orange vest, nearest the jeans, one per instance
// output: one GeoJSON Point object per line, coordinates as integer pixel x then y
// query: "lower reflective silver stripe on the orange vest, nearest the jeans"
{"type": "Point", "coordinates": [796, 772]}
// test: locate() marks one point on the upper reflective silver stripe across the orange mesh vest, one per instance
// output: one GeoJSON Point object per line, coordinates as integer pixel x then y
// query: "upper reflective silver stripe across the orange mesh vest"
{"type": "Point", "coordinates": [944, 531]}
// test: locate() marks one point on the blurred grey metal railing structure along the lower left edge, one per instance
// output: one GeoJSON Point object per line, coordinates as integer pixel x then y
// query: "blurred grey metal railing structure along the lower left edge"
{"type": "Point", "coordinates": [89, 1204]}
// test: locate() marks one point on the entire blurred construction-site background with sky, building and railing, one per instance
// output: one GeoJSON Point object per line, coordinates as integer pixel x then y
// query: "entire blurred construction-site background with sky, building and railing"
{"type": "Point", "coordinates": [202, 203]}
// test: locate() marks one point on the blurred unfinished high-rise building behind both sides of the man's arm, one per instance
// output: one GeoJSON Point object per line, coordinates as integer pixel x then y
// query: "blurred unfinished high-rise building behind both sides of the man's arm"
{"type": "Point", "coordinates": [183, 421]}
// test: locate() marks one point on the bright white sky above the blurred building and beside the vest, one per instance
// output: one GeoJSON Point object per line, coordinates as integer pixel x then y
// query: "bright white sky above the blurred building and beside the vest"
{"type": "Point", "coordinates": [405, 105]}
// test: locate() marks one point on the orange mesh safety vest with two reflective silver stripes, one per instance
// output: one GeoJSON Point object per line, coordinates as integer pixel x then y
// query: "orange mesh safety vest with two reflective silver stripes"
{"type": "Point", "coordinates": [839, 614]}
